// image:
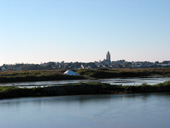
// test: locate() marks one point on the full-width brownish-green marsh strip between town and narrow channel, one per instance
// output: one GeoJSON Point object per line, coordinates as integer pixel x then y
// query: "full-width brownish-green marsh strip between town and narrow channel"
{"type": "Point", "coordinates": [47, 75]}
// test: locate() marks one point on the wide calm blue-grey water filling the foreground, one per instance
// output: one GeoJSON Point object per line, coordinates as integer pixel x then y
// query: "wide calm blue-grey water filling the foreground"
{"type": "Point", "coordinates": [94, 111]}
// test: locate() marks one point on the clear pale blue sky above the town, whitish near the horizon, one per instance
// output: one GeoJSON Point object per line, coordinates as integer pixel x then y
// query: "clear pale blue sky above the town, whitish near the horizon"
{"type": "Point", "coordinates": [37, 31]}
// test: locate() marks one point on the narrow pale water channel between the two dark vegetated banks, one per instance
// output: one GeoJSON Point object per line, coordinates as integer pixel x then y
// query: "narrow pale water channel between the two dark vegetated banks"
{"type": "Point", "coordinates": [113, 81]}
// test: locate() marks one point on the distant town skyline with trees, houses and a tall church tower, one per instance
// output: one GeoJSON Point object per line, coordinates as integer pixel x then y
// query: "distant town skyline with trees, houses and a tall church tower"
{"type": "Point", "coordinates": [105, 63]}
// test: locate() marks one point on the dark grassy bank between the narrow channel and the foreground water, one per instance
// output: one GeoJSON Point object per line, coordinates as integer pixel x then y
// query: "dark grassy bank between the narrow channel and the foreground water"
{"type": "Point", "coordinates": [81, 89]}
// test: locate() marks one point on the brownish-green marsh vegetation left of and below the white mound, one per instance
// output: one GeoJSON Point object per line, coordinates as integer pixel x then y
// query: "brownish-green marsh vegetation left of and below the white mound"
{"type": "Point", "coordinates": [22, 76]}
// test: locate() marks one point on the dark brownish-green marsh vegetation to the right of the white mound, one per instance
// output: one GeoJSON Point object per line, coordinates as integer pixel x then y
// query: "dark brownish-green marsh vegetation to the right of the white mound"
{"type": "Point", "coordinates": [112, 73]}
